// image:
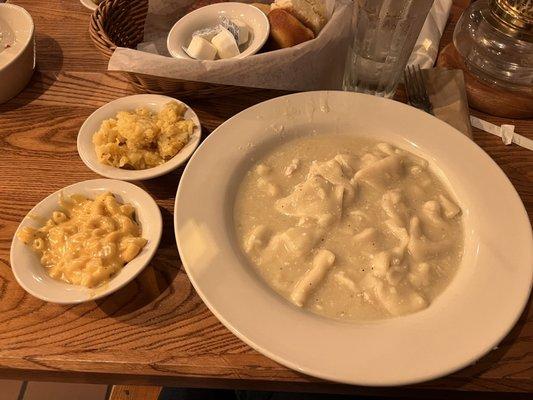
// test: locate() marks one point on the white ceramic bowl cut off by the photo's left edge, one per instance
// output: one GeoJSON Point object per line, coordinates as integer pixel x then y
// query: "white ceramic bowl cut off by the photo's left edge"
{"type": "Point", "coordinates": [17, 62]}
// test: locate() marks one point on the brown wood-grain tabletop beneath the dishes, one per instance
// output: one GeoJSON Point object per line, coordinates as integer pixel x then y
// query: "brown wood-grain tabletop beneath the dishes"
{"type": "Point", "coordinates": [157, 330]}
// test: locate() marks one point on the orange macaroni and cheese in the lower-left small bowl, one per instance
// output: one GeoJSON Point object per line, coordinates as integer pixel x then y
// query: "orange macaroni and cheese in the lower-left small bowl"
{"type": "Point", "coordinates": [87, 242]}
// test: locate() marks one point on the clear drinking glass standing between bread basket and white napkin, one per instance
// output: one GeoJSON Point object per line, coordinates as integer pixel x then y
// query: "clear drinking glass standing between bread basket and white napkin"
{"type": "Point", "coordinates": [384, 34]}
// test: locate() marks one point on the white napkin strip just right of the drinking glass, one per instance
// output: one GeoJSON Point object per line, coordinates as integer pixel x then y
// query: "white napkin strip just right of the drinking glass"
{"type": "Point", "coordinates": [427, 45]}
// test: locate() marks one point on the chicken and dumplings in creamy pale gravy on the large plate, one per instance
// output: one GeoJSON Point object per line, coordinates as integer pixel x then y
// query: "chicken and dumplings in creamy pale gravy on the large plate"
{"type": "Point", "coordinates": [349, 228]}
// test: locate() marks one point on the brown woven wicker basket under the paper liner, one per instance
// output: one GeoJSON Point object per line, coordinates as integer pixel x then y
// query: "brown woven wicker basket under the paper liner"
{"type": "Point", "coordinates": [121, 23]}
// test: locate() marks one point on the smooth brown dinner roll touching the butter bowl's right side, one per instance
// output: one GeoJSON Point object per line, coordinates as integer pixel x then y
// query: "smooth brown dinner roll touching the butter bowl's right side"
{"type": "Point", "coordinates": [286, 30]}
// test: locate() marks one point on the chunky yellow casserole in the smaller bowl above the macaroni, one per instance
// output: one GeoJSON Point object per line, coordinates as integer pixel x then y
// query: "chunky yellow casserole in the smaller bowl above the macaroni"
{"type": "Point", "coordinates": [143, 139]}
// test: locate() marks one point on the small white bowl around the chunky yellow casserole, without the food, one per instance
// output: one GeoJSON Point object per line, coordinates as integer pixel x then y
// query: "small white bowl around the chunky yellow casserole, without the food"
{"type": "Point", "coordinates": [153, 102]}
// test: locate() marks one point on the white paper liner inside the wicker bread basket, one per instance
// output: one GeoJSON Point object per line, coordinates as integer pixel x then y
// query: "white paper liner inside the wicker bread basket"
{"type": "Point", "coordinates": [313, 65]}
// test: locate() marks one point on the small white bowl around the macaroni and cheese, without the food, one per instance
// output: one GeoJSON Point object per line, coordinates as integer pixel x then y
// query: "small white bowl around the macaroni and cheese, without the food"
{"type": "Point", "coordinates": [31, 275]}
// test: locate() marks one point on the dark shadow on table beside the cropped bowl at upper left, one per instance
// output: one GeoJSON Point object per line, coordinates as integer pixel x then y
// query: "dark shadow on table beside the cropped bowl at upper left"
{"type": "Point", "coordinates": [40, 81]}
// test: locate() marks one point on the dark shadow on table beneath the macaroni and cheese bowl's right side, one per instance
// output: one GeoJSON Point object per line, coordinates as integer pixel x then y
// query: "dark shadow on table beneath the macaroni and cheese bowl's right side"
{"type": "Point", "coordinates": [153, 285]}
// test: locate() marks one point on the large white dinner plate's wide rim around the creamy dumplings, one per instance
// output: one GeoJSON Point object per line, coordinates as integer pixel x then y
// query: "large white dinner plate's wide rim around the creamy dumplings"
{"type": "Point", "coordinates": [473, 314]}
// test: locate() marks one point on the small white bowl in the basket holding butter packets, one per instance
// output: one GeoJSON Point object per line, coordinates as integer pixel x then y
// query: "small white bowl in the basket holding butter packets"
{"type": "Point", "coordinates": [181, 33]}
